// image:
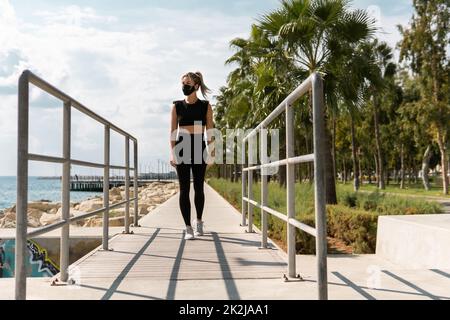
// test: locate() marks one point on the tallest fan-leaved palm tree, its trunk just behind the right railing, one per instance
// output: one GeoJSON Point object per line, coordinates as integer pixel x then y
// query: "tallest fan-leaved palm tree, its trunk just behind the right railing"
{"type": "Point", "coordinates": [313, 34]}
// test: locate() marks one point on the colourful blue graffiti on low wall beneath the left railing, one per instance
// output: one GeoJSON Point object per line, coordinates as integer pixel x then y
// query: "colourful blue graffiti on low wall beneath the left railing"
{"type": "Point", "coordinates": [38, 262]}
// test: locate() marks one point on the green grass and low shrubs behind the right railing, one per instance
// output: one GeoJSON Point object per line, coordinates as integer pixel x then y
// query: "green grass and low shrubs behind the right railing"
{"type": "Point", "coordinates": [353, 221]}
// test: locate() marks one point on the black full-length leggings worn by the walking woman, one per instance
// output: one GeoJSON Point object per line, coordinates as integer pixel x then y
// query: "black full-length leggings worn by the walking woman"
{"type": "Point", "coordinates": [198, 167]}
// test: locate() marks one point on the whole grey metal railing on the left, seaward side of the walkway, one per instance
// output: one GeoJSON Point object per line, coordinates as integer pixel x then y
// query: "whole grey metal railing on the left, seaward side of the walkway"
{"type": "Point", "coordinates": [22, 233]}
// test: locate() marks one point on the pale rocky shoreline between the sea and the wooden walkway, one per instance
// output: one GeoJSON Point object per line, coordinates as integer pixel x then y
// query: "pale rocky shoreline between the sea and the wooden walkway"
{"type": "Point", "coordinates": [44, 213]}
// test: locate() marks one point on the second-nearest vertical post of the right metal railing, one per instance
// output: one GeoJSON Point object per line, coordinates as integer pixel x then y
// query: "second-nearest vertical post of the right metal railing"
{"type": "Point", "coordinates": [290, 183]}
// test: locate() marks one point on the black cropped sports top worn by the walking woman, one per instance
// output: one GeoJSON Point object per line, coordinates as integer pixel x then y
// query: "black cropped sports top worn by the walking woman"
{"type": "Point", "coordinates": [188, 114]}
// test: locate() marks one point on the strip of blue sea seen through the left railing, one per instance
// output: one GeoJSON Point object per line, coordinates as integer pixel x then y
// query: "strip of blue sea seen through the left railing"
{"type": "Point", "coordinates": [38, 189]}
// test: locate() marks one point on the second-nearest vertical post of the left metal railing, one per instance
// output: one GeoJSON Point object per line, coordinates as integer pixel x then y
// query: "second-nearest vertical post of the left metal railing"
{"type": "Point", "coordinates": [65, 207]}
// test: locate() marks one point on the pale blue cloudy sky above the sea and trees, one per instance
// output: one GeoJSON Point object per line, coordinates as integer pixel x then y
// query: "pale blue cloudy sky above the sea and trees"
{"type": "Point", "coordinates": [123, 60]}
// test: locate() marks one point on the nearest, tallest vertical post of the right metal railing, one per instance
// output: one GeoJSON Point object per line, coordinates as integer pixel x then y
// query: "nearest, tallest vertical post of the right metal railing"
{"type": "Point", "coordinates": [319, 186]}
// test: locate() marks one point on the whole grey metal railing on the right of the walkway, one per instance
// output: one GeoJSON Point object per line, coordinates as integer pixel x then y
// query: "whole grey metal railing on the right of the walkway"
{"type": "Point", "coordinates": [315, 83]}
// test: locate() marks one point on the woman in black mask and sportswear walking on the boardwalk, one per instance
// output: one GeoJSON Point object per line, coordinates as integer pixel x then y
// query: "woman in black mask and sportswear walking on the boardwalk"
{"type": "Point", "coordinates": [192, 117]}
